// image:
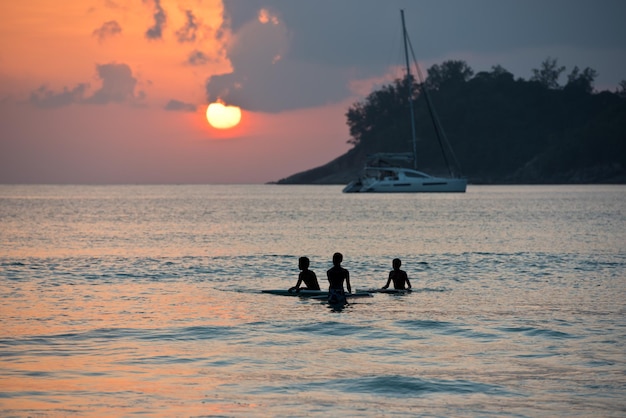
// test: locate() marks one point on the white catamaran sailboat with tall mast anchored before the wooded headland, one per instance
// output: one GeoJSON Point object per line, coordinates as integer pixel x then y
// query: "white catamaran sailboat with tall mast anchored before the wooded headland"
{"type": "Point", "coordinates": [388, 173]}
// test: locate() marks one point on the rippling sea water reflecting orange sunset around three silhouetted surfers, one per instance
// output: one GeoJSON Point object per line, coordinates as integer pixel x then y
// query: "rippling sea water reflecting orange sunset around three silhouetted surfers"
{"type": "Point", "coordinates": [145, 301]}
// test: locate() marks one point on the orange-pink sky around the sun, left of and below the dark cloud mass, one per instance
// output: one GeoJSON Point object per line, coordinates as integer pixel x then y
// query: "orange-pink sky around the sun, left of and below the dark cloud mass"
{"type": "Point", "coordinates": [84, 91]}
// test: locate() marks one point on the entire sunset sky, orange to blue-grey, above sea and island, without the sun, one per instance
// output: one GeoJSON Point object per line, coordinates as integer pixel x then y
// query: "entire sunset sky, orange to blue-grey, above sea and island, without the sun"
{"type": "Point", "coordinates": [116, 91]}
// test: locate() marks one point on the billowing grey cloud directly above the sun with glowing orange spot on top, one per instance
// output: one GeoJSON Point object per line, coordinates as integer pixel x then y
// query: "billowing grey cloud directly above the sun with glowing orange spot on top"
{"type": "Point", "coordinates": [265, 79]}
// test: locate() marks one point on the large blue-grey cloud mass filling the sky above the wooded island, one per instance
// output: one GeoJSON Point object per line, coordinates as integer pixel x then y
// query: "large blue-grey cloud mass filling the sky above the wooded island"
{"type": "Point", "coordinates": [319, 47]}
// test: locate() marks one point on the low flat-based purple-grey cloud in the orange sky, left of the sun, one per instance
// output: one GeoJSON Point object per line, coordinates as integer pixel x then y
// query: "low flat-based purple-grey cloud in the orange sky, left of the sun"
{"type": "Point", "coordinates": [118, 86]}
